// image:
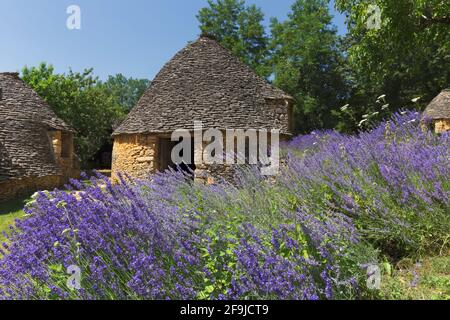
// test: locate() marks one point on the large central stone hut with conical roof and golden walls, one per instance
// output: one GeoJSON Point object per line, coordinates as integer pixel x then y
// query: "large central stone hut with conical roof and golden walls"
{"type": "Point", "coordinates": [203, 82]}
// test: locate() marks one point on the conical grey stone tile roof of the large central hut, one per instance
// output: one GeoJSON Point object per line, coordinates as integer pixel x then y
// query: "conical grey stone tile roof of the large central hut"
{"type": "Point", "coordinates": [206, 82]}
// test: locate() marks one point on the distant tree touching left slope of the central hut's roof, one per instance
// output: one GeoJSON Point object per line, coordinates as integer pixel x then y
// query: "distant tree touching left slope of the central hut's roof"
{"type": "Point", "coordinates": [127, 90]}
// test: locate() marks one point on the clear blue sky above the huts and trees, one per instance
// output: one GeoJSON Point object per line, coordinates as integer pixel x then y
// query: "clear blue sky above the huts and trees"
{"type": "Point", "coordinates": [133, 37]}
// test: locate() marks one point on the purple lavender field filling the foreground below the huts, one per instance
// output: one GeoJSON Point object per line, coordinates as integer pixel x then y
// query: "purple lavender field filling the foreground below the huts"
{"type": "Point", "coordinates": [340, 205]}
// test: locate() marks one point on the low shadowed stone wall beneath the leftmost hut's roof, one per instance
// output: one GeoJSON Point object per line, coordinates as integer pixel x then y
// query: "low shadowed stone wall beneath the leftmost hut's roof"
{"type": "Point", "coordinates": [21, 187]}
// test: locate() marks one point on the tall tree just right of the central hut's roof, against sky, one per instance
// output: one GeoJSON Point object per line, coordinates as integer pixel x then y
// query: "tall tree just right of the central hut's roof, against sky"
{"type": "Point", "coordinates": [307, 63]}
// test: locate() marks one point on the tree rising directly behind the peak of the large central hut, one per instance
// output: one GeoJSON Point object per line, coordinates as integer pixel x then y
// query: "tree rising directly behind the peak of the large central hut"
{"type": "Point", "coordinates": [239, 28]}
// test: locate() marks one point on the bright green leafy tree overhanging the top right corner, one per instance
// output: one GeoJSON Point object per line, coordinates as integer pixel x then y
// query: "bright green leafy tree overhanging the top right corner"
{"type": "Point", "coordinates": [406, 55]}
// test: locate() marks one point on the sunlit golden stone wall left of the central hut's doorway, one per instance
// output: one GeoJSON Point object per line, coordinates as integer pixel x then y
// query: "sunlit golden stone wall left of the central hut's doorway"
{"type": "Point", "coordinates": [135, 155]}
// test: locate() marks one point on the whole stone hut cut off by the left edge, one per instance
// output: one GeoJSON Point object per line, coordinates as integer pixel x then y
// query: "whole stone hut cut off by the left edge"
{"type": "Point", "coordinates": [36, 147]}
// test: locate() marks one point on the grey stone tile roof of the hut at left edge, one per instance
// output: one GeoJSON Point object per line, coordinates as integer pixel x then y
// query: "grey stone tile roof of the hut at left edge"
{"type": "Point", "coordinates": [25, 119]}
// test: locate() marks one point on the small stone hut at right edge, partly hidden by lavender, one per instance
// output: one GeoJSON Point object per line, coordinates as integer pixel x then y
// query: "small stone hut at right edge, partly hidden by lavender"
{"type": "Point", "coordinates": [438, 112]}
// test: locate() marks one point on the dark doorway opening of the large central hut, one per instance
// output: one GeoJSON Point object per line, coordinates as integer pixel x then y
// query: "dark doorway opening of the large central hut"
{"type": "Point", "coordinates": [165, 156]}
